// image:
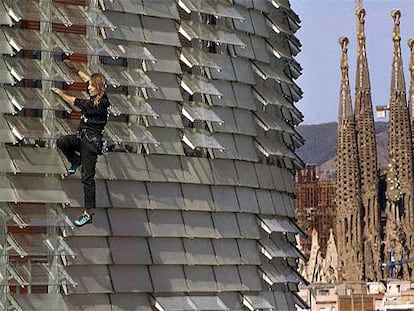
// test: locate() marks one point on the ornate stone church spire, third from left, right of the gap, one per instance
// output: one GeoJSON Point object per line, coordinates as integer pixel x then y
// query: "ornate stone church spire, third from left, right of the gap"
{"type": "Point", "coordinates": [399, 228]}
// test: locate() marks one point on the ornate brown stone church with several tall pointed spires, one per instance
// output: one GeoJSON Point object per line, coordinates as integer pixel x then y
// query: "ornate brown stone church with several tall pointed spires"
{"type": "Point", "coordinates": [376, 221]}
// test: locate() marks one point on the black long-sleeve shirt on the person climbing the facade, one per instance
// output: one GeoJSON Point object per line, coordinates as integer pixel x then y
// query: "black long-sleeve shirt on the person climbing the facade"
{"type": "Point", "coordinates": [94, 117]}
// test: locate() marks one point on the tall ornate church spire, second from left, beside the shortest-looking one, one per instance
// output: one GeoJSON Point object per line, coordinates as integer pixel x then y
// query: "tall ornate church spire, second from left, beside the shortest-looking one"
{"type": "Point", "coordinates": [367, 152]}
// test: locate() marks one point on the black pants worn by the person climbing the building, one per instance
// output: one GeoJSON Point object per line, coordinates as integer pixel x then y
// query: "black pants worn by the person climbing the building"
{"type": "Point", "coordinates": [70, 145]}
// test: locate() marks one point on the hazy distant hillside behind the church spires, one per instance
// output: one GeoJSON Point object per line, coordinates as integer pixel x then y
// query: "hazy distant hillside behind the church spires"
{"type": "Point", "coordinates": [320, 144]}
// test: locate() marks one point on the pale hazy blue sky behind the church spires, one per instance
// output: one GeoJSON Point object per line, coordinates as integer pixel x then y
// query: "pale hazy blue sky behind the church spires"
{"type": "Point", "coordinates": [323, 21]}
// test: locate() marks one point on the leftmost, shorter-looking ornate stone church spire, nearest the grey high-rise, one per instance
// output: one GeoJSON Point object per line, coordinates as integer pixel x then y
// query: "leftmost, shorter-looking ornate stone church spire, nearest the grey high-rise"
{"type": "Point", "coordinates": [348, 223]}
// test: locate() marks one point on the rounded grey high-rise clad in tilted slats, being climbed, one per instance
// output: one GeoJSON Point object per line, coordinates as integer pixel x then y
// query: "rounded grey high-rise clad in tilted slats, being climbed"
{"type": "Point", "coordinates": [195, 202]}
